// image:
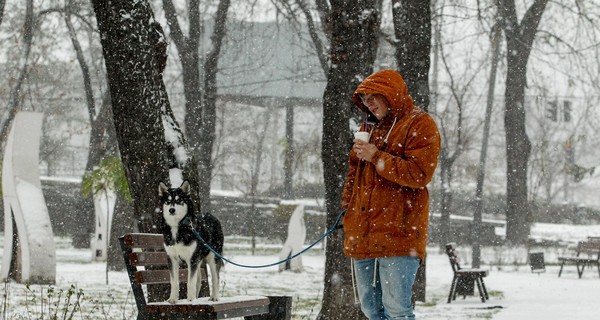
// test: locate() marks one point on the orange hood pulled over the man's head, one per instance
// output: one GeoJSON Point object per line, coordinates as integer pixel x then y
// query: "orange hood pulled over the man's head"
{"type": "Point", "coordinates": [388, 83]}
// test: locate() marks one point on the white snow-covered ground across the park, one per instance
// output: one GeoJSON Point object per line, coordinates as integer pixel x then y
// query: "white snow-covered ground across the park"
{"type": "Point", "coordinates": [515, 292]}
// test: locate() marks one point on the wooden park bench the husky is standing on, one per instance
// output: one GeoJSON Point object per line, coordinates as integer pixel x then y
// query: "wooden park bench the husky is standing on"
{"type": "Point", "coordinates": [146, 263]}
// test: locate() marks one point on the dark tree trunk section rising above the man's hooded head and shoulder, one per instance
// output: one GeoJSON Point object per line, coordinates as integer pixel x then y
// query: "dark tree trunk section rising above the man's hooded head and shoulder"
{"type": "Point", "coordinates": [412, 28]}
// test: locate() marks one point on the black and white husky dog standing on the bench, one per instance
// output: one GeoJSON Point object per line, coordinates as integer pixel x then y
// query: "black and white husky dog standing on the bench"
{"type": "Point", "coordinates": [181, 228]}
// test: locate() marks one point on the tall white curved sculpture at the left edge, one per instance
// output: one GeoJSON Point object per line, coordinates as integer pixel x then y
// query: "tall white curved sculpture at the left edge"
{"type": "Point", "coordinates": [25, 207]}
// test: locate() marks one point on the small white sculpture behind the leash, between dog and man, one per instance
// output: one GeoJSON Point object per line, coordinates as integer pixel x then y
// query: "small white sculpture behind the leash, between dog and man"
{"type": "Point", "coordinates": [294, 242]}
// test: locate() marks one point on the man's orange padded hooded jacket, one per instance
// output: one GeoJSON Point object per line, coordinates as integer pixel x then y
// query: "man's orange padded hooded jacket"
{"type": "Point", "coordinates": [387, 199]}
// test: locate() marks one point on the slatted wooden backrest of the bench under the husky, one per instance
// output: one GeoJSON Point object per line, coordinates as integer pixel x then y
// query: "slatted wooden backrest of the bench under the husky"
{"type": "Point", "coordinates": [147, 263]}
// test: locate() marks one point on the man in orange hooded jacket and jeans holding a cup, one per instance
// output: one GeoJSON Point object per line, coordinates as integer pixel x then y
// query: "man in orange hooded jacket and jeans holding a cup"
{"type": "Point", "coordinates": [386, 195]}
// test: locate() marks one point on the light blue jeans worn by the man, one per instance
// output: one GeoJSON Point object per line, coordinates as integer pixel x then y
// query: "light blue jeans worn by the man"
{"type": "Point", "coordinates": [385, 286]}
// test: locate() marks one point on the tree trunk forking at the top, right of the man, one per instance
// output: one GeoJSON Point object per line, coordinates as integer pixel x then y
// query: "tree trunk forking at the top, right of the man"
{"type": "Point", "coordinates": [519, 41]}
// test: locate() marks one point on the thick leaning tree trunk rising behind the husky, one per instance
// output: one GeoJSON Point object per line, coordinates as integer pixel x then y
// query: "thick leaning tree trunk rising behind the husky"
{"type": "Point", "coordinates": [134, 53]}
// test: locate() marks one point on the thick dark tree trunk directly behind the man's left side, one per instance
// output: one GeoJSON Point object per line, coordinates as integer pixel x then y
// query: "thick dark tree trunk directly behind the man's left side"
{"type": "Point", "coordinates": [353, 26]}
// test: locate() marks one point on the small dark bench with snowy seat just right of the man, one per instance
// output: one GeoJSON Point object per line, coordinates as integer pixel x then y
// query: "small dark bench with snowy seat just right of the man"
{"type": "Point", "coordinates": [464, 278]}
